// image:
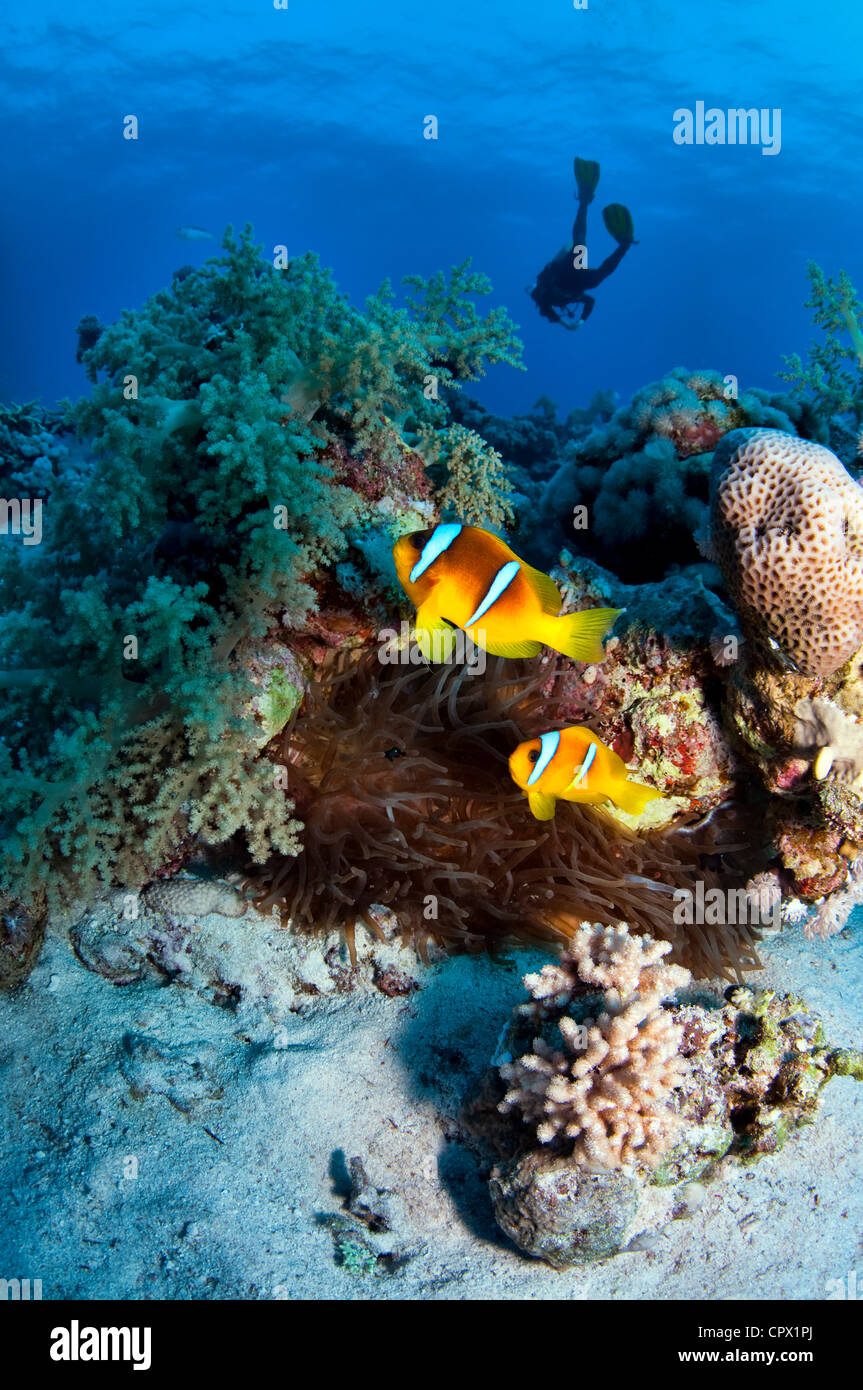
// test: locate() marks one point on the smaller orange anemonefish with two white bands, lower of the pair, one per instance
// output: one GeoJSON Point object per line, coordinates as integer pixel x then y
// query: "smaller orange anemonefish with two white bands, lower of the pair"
{"type": "Point", "coordinates": [575, 765]}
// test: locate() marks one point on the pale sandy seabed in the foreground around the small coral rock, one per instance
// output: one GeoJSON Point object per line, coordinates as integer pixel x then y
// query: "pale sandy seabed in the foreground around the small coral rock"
{"type": "Point", "coordinates": [187, 1135]}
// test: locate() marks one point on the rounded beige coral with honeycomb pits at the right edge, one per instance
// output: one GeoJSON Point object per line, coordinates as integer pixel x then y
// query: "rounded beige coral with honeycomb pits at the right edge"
{"type": "Point", "coordinates": [787, 533]}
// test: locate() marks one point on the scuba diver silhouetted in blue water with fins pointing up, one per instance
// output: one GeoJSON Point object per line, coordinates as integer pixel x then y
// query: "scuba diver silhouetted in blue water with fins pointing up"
{"type": "Point", "coordinates": [562, 284]}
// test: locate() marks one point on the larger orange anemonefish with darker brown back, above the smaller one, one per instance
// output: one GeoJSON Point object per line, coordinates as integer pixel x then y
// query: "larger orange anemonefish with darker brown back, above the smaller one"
{"type": "Point", "coordinates": [461, 576]}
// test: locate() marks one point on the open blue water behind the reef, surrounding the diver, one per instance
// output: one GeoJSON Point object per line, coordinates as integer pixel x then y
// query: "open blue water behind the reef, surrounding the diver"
{"type": "Point", "coordinates": [309, 124]}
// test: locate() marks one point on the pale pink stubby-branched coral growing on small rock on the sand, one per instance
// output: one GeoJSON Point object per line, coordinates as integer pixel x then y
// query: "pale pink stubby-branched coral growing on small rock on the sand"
{"type": "Point", "coordinates": [609, 1088]}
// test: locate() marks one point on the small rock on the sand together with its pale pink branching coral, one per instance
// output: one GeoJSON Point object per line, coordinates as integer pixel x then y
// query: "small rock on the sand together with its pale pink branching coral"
{"type": "Point", "coordinates": [712, 1079]}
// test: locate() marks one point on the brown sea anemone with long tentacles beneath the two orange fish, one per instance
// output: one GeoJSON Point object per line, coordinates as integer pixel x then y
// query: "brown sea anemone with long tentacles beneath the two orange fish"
{"type": "Point", "coordinates": [401, 778]}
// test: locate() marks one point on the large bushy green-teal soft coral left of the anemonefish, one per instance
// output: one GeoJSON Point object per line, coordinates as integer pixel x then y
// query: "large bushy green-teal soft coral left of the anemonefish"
{"type": "Point", "coordinates": [212, 508]}
